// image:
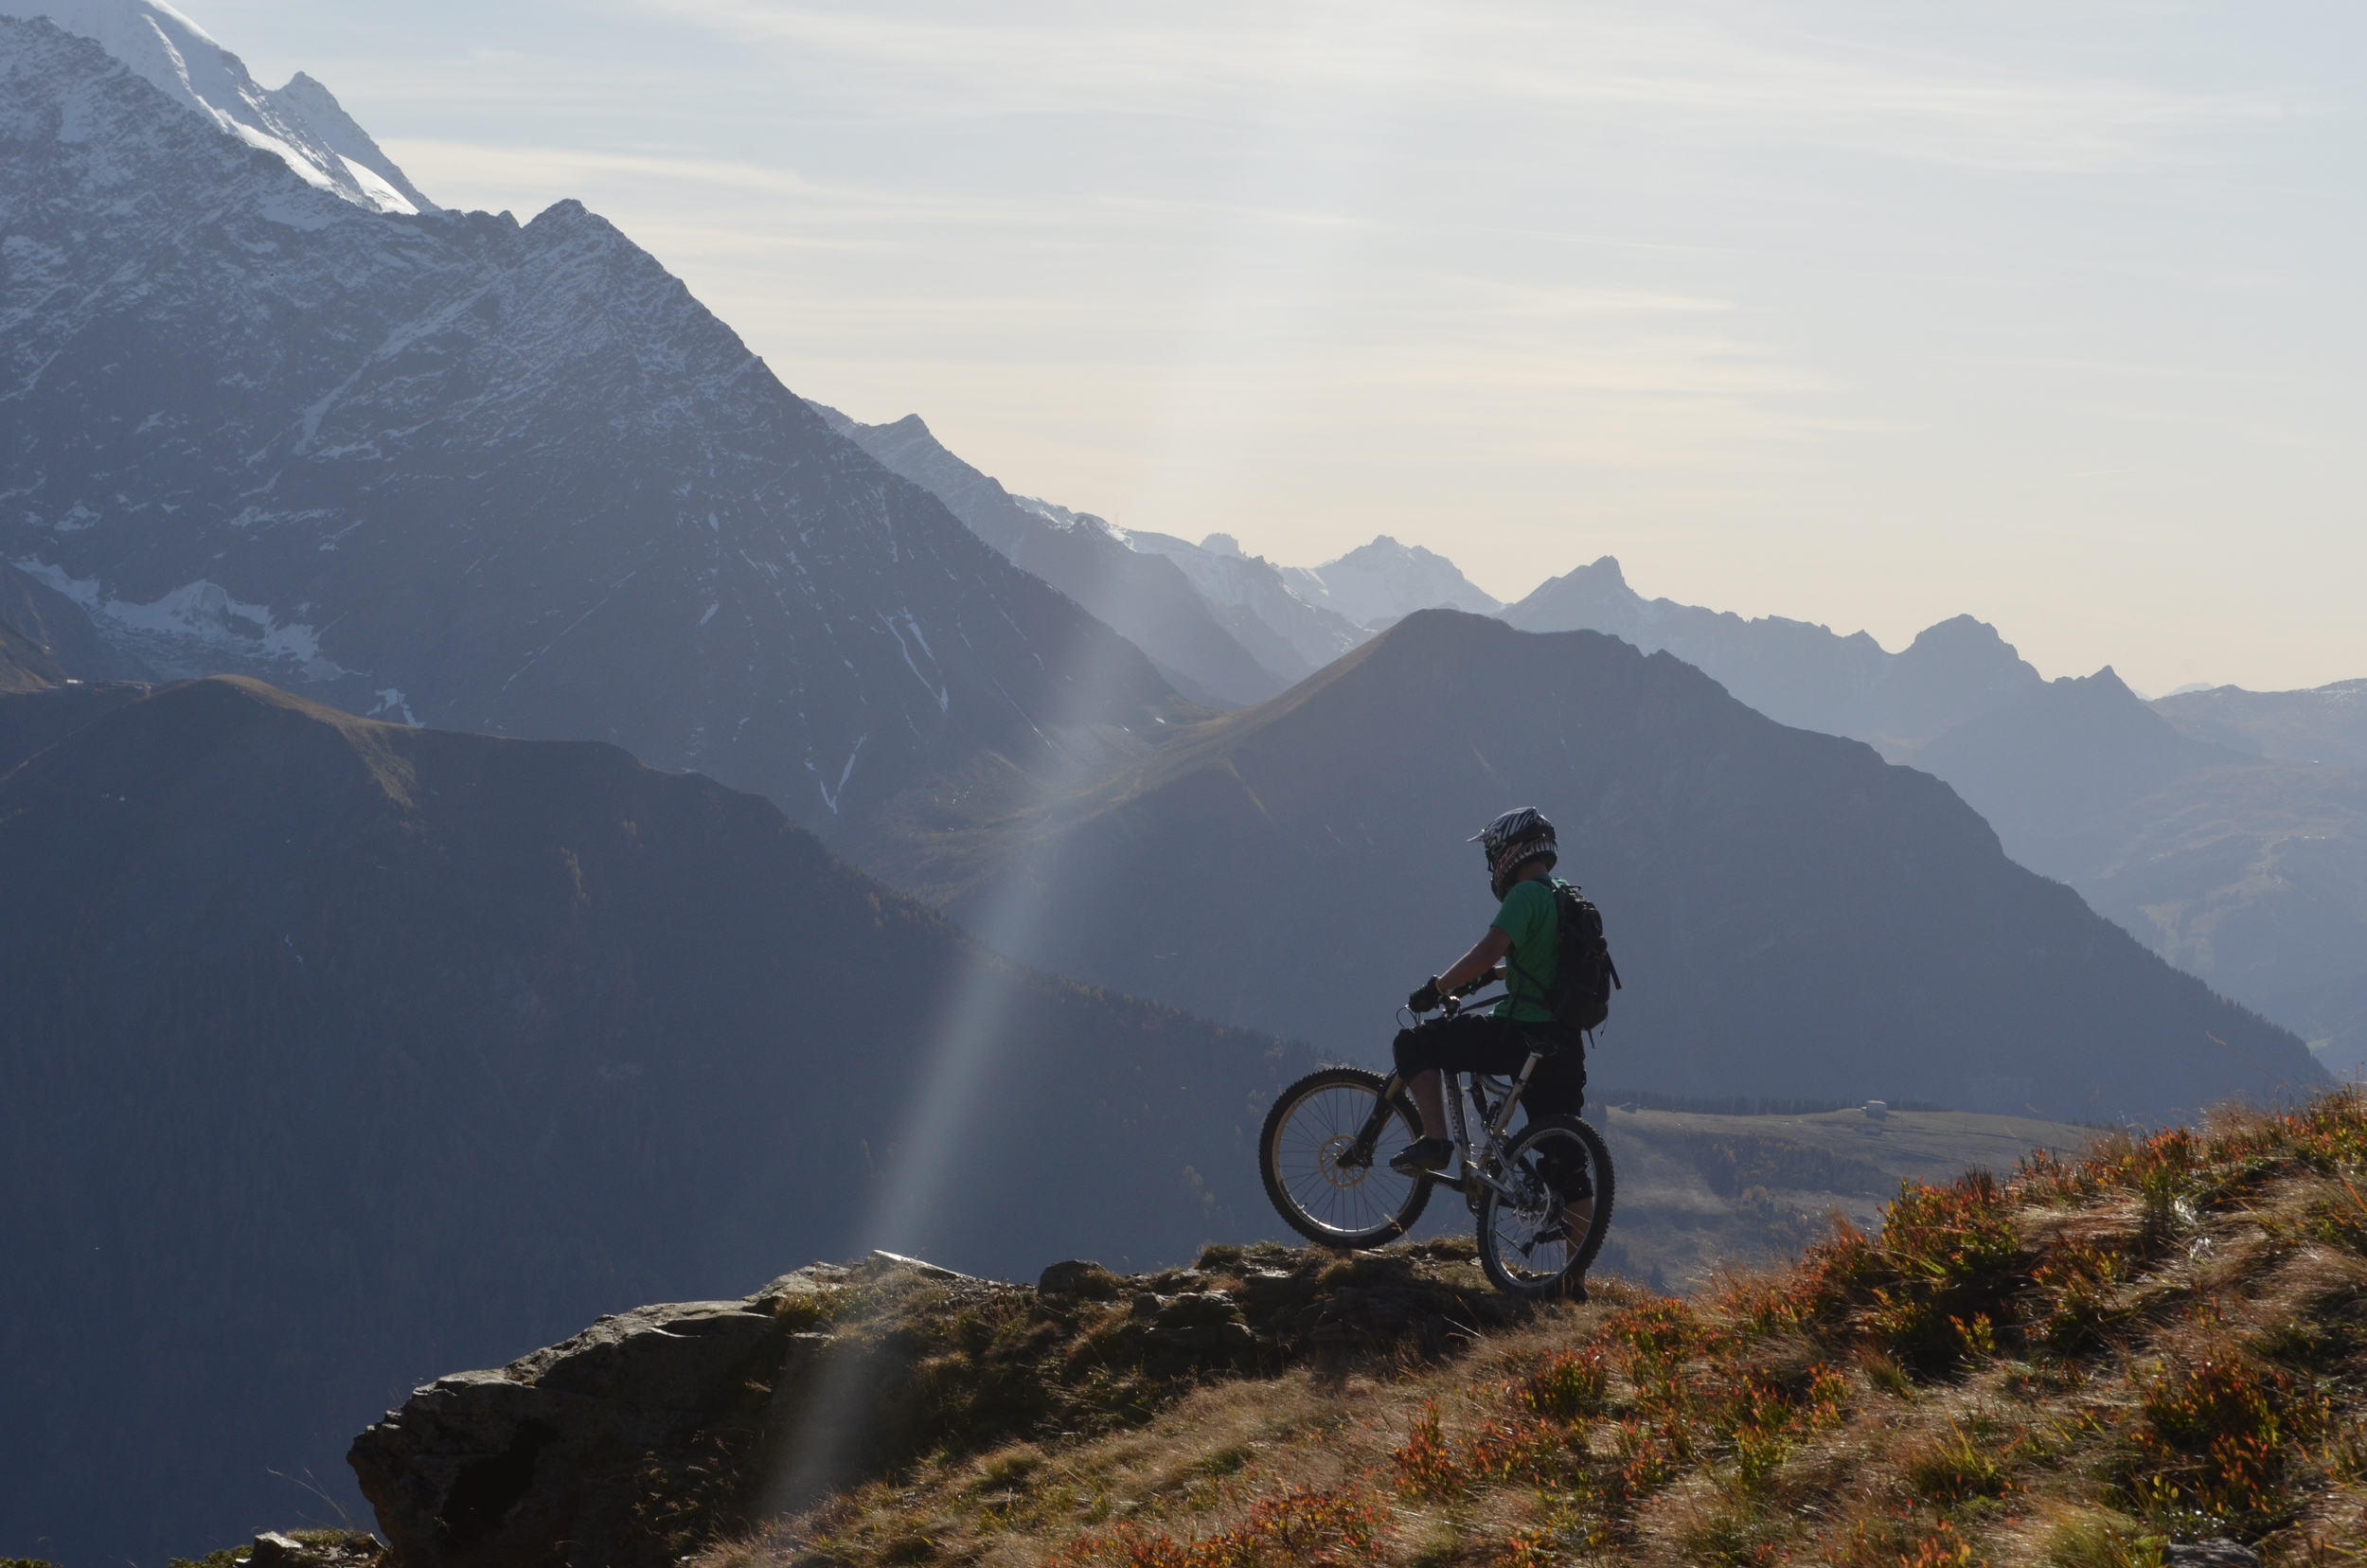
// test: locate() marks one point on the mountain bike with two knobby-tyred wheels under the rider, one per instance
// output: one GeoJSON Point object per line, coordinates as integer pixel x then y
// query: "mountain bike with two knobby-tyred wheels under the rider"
{"type": "Point", "coordinates": [1327, 1148]}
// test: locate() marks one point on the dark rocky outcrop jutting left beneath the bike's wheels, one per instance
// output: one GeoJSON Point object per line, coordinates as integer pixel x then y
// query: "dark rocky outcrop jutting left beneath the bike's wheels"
{"type": "Point", "coordinates": [659, 1429]}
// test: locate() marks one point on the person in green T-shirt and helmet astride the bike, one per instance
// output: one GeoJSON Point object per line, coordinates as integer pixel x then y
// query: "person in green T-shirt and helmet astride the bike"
{"type": "Point", "coordinates": [1521, 856]}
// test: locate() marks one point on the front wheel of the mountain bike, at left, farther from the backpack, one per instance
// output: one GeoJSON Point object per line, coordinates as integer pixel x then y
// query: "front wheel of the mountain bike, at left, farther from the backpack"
{"type": "Point", "coordinates": [1313, 1171]}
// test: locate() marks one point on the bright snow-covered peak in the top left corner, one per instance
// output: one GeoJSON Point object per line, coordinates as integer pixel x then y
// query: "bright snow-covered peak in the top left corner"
{"type": "Point", "coordinates": [299, 124]}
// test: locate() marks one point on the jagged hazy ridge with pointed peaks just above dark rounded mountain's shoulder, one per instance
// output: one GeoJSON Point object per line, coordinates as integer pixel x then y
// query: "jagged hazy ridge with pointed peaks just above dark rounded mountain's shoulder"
{"type": "Point", "coordinates": [1793, 671]}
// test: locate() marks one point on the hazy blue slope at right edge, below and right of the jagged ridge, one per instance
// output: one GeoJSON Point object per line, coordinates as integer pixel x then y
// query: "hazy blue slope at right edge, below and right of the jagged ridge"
{"type": "Point", "coordinates": [2243, 870]}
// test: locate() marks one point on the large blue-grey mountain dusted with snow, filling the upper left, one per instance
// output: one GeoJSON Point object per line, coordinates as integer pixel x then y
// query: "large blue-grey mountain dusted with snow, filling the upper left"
{"type": "Point", "coordinates": [477, 475]}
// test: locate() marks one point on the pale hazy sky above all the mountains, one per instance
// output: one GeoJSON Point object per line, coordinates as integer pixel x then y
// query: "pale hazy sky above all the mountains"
{"type": "Point", "coordinates": [1859, 314]}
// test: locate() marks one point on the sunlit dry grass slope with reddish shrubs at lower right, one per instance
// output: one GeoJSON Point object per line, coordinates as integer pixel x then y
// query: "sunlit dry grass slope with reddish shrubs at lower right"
{"type": "Point", "coordinates": [2075, 1365]}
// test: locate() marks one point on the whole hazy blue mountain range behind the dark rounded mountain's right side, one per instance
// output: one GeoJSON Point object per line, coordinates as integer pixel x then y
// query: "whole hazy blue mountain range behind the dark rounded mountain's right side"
{"type": "Point", "coordinates": [2195, 823]}
